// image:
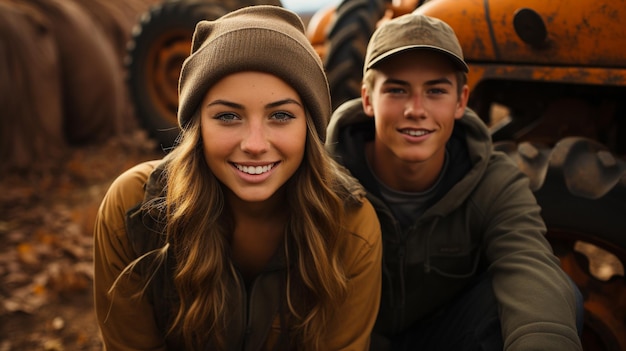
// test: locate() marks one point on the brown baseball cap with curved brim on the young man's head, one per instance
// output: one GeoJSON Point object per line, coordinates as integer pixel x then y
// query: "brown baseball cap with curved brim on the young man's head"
{"type": "Point", "coordinates": [413, 31]}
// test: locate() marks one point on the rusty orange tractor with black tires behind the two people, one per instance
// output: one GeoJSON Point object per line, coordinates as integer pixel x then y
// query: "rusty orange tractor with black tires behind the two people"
{"type": "Point", "coordinates": [547, 77]}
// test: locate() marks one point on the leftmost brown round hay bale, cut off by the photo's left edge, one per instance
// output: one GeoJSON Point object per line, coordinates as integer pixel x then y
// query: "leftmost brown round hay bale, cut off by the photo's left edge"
{"type": "Point", "coordinates": [31, 111]}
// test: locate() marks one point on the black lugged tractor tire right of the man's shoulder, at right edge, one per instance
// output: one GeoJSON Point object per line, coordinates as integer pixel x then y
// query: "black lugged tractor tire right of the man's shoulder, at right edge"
{"type": "Point", "coordinates": [580, 187]}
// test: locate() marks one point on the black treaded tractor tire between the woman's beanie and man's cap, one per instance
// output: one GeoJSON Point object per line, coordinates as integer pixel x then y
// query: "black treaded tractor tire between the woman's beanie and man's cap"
{"type": "Point", "coordinates": [354, 23]}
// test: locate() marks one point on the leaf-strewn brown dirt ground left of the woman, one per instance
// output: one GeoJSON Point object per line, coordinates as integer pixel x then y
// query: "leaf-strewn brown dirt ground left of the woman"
{"type": "Point", "coordinates": [46, 225]}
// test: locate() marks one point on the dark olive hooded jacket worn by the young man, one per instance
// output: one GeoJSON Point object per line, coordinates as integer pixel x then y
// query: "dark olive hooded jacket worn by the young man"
{"type": "Point", "coordinates": [483, 219]}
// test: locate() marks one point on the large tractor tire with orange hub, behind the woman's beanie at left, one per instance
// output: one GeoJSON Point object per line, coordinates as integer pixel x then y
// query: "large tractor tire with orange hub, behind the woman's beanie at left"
{"type": "Point", "coordinates": [159, 44]}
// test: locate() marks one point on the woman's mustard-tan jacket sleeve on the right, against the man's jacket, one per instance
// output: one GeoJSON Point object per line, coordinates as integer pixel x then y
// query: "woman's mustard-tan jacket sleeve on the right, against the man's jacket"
{"type": "Point", "coordinates": [352, 324]}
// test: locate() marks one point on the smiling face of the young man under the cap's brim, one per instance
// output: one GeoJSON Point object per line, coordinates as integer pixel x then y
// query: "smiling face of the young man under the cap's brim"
{"type": "Point", "coordinates": [415, 101]}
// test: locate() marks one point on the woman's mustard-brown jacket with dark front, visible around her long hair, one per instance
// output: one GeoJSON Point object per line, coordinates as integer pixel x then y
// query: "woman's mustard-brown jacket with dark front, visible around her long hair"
{"type": "Point", "coordinates": [129, 322]}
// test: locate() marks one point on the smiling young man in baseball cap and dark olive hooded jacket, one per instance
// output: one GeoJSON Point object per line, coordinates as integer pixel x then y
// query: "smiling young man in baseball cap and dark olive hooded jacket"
{"type": "Point", "coordinates": [466, 265]}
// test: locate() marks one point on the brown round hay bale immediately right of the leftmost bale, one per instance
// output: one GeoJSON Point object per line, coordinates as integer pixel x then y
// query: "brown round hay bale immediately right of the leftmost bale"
{"type": "Point", "coordinates": [92, 79]}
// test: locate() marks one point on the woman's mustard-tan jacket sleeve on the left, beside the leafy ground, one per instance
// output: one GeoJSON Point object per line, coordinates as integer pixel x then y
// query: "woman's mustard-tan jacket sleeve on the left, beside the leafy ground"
{"type": "Point", "coordinates": [126, 321]}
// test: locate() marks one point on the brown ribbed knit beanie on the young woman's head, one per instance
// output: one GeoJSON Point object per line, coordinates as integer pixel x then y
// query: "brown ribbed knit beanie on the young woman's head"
{"type": "Point", "coordinates": [261, 38]}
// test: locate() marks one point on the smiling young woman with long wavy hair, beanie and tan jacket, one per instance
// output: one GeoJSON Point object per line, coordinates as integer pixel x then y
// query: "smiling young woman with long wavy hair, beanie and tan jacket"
{"type": "Point", "coordinates": [246, 236]}
